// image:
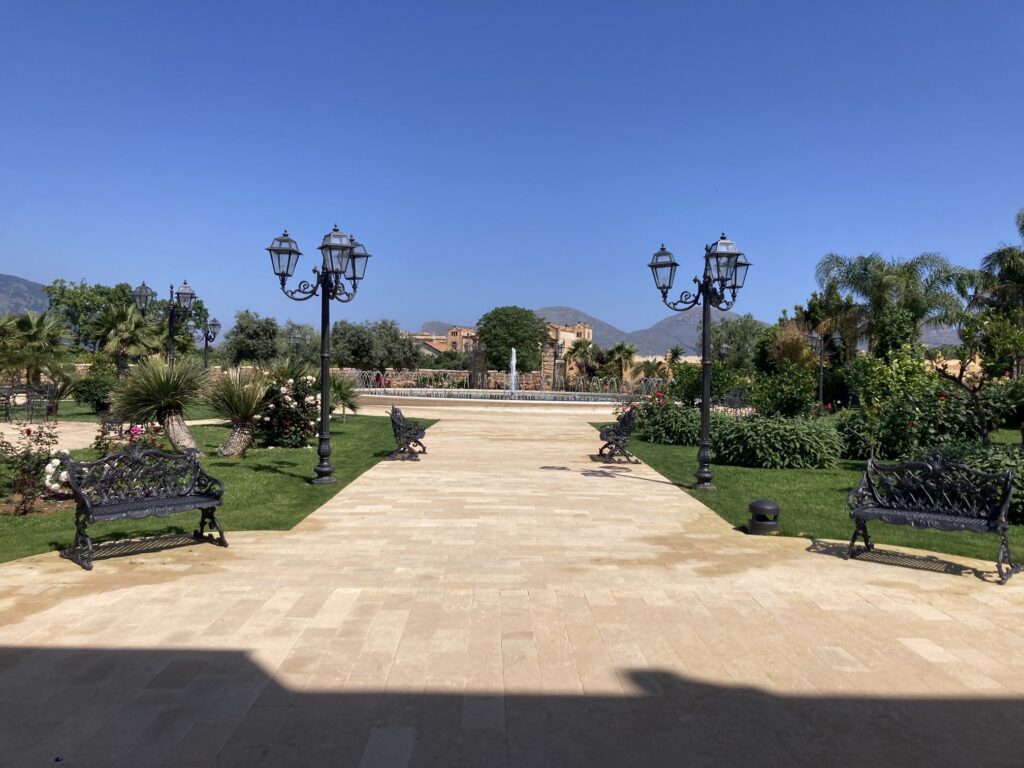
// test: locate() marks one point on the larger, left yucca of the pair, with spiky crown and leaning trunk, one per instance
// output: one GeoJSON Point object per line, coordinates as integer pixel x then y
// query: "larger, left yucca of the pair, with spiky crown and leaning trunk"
{"type": "Point", "coordinates": [152, 392]}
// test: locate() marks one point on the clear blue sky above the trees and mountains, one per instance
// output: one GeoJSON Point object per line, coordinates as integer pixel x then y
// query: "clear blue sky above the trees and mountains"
{"type": "Point", "coordinates": [490, 154]}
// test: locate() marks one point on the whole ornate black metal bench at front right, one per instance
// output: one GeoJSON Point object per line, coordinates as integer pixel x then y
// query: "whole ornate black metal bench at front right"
{"type": "Point", "coordinates": [934, 494]}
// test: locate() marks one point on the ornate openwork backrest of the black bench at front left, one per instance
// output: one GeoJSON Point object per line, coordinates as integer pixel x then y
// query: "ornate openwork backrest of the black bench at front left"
{"type": "Point", "coordinates": [139, 474]}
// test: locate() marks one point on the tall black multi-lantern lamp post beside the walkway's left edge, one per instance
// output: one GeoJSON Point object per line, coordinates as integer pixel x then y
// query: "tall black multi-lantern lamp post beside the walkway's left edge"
{"type": "Point", "coordinates": [345, 260]}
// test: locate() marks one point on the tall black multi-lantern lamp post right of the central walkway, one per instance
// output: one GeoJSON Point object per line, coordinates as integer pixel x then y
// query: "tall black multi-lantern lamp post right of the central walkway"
{"type": "Point", "coordinates": [726, 271]}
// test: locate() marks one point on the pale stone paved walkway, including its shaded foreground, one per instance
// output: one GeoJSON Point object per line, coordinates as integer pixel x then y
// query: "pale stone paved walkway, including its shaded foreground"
{"type": "Point", "coordinates": [507, 602]}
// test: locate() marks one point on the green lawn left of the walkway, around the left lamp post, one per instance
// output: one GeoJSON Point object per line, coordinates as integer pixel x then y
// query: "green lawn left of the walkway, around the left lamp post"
{"type": "Point", "coordinates": [269, 490]}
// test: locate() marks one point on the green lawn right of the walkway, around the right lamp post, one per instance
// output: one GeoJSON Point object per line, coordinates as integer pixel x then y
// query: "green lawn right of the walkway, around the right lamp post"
{"type": "Point", "coordinates": [813, 502]}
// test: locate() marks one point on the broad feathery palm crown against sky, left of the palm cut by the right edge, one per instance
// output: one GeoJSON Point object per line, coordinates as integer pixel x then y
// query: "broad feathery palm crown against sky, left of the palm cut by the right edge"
{"type": "Point", "coordinates": [925, 286]}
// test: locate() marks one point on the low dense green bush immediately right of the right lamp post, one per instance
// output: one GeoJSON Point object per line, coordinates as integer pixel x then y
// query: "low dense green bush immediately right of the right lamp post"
{"type": "Point", "coordinates": [779, 443]}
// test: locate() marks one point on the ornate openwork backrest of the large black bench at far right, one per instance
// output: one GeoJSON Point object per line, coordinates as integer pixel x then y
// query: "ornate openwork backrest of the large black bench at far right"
{"type": "Point", "coordinates": [938, 487]}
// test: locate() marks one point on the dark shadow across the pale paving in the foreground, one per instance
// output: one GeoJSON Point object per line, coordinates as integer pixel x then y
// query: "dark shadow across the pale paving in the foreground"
{"type": "Point", "coordinates": [193, 708]}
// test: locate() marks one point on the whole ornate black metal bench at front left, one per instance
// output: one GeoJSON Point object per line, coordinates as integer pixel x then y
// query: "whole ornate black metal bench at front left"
{"type": "Point", "coordinates": [140, 483]}
